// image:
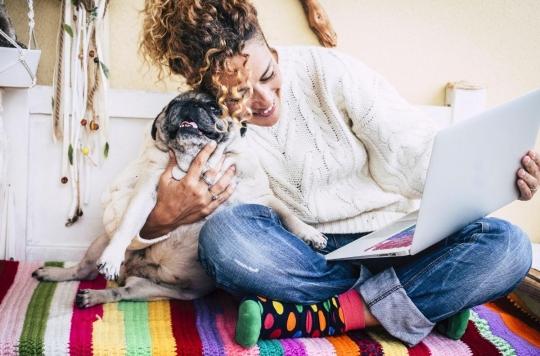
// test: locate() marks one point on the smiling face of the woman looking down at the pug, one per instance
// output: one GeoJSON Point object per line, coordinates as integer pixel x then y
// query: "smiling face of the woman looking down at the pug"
{"type": "Point", "coordinates": [264, 79]}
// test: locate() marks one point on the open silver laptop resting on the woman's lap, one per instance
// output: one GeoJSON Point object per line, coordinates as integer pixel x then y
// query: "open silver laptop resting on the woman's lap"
{"type": "Point", "coordinates": [472, 172]}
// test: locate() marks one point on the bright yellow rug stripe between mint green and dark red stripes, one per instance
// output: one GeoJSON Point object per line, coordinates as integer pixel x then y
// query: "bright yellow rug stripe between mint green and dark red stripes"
{"type": "Point", "coordinates": [160, 324]}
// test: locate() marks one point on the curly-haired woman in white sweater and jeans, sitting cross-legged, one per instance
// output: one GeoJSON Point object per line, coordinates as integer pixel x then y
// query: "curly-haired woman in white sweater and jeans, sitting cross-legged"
{"type": "Point", "coordinates": [348, 155]}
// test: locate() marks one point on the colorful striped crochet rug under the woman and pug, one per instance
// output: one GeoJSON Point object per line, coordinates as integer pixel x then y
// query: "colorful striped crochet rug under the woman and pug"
{"type": "Point", "coordinates": [40, 318]}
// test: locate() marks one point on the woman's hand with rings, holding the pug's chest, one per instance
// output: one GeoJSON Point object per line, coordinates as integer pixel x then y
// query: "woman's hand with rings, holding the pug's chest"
{"type": "Point", "coordinates": [189, 199]}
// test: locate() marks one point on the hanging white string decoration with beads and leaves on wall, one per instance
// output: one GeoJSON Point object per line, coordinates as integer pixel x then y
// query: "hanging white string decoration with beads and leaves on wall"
{"type": "Point", "coordinates": [80, 118]}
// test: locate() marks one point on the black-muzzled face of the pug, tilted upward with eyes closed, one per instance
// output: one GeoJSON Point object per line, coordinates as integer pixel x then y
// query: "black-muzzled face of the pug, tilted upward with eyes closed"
{"type": "Point", "coordinates": [187, 124]}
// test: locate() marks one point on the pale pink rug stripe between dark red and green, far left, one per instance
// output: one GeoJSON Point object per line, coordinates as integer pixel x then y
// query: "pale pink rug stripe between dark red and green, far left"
{"type": "Point", "coordinates": [13, 308]}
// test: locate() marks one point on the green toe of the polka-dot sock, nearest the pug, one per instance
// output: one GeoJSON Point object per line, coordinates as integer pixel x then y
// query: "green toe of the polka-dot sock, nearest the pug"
{"type": "Point", "coordinates": [248, 326]}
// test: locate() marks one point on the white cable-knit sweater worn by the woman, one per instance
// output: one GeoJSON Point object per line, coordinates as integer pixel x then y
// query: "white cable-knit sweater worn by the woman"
{"type": "Point", "coordinates": [348, 154]}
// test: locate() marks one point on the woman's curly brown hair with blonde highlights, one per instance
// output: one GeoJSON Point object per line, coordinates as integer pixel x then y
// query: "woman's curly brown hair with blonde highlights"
{"type": "Point", "coordinates": [195, 39]}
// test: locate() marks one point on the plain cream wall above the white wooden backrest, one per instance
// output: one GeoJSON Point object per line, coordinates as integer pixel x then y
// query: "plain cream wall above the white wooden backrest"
{"type": "Point", "coordinates": [419, 45]}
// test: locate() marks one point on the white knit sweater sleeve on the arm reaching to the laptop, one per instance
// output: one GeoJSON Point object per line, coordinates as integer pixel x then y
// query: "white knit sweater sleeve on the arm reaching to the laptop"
{"type": "Point", "coordinates": [397, 136]}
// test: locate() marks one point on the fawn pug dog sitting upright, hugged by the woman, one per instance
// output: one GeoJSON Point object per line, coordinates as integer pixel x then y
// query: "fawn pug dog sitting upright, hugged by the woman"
{"type": "Point", "coordinates": [167, 267]}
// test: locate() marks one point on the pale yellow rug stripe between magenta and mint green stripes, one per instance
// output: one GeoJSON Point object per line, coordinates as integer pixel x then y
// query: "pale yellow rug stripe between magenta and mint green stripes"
{"type": "Point", "coordinates": [108, 336]}
